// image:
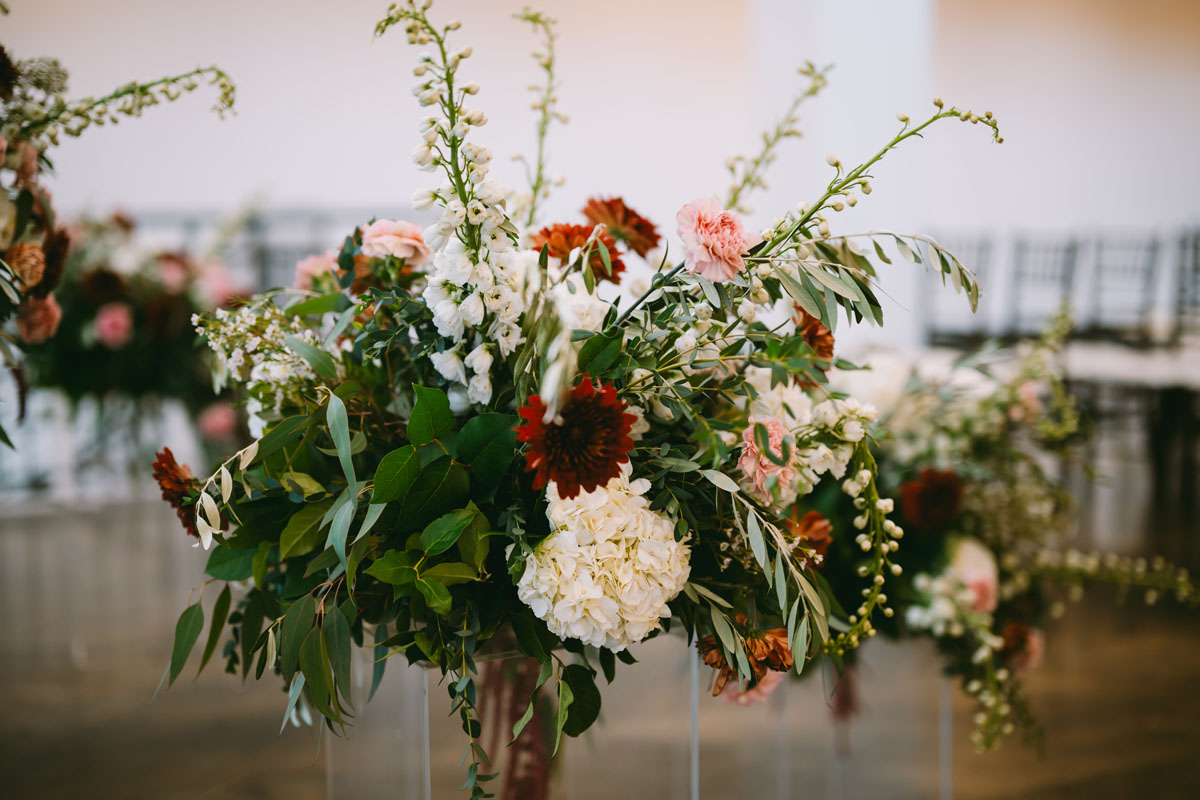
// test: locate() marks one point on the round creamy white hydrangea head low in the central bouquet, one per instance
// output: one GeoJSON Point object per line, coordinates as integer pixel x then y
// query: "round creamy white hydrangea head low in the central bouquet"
{"type": "Point", "coordinates": [609, 569]}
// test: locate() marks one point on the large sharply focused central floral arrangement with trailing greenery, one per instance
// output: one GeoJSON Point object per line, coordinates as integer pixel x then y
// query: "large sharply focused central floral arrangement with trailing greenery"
{"type": "Point", "coordinates": [472, 443]}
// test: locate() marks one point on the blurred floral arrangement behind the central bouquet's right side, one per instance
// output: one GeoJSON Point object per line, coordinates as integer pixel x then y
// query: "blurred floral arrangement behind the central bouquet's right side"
{"type": "Point", "coordinates": [973, 449]}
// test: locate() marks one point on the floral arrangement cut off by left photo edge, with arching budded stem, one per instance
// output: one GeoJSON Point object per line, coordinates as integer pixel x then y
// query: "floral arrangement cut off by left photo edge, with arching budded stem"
{"type": "Point", "coordinates": [34, 118]}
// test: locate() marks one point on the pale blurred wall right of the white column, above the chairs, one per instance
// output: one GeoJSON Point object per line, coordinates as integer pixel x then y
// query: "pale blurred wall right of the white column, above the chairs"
{"type": "Point", "coordinates": [1100, 103]}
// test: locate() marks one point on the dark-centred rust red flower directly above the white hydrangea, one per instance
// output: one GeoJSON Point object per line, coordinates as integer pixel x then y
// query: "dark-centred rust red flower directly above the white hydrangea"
{"type": "Point", "coordinates": [585, 447]}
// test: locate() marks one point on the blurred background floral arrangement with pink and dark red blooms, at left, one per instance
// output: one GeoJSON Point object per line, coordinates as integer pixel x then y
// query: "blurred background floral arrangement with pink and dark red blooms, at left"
{"type": "Point", "coordinates": [127, 324]}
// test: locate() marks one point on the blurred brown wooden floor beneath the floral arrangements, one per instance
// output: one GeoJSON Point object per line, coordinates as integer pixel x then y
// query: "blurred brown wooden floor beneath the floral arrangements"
{"type": "Point", "coordinates": [88, 603]}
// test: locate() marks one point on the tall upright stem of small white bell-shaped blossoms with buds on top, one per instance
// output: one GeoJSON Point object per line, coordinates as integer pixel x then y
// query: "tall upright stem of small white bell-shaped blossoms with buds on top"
{"type": "Point", "coordinates": [477, 284]}
